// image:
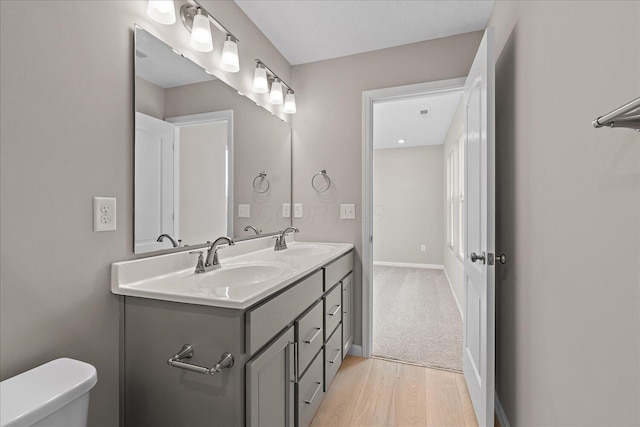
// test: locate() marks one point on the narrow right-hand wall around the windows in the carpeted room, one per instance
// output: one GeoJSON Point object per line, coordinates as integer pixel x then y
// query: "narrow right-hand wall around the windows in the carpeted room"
{"type": "Point", "coordinates": [451, 261]}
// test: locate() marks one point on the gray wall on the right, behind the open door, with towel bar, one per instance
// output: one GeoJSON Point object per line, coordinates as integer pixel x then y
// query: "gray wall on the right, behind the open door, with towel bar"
{"type": "Point", "coordinates": [568, 213]}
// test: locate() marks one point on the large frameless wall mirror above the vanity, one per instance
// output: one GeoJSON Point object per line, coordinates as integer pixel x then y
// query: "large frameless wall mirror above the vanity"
{"type": "Point", "coordinates": [199, 146]}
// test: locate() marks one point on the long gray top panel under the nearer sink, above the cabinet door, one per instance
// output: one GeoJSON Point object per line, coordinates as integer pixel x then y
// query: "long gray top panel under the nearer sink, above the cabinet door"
{"type": "Point", "coordinates": [264, 322]}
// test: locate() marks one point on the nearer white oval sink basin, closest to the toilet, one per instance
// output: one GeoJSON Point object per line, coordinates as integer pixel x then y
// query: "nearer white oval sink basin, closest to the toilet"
{"type": "Point", "coordinates": [240, 274]}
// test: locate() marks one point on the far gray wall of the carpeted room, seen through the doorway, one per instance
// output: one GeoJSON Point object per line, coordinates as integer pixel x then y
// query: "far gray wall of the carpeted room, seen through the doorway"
{"type": "Point", "coordinates": [408, 205]}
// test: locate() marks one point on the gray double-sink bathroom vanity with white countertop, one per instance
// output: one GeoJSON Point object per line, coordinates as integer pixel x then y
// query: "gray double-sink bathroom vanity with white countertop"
{"type": "Point", "coordinates": [285, 316]}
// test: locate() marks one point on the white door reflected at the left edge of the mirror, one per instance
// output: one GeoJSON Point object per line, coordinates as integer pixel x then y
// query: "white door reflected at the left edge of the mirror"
{"type": "Point", "coordinates": [154, 176]}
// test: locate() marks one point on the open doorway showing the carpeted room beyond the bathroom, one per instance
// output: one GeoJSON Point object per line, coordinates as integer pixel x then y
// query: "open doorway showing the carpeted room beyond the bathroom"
{"type": "Point", "coordinates": [415, 314]}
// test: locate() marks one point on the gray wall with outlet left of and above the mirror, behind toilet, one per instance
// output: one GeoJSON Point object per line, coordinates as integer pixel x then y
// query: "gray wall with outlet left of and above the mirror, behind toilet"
{"type": "Point", "coordinates": [66, 134]}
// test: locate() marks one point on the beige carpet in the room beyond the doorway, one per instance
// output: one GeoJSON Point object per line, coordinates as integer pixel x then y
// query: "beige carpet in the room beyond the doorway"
{"type": "Point", "coordinates": [415, 318]}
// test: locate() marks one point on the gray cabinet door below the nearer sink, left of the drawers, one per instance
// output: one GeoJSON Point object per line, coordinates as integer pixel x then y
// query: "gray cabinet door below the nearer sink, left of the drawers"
{"type": "Point", "coordinates": [270, 384]}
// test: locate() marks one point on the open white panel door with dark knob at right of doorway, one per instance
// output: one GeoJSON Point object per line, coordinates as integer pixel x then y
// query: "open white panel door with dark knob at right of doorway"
{"type": "Point", "coordinates": [479, 285]}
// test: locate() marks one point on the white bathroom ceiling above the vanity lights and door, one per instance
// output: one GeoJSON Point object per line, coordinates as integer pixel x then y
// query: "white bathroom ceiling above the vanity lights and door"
{"type": "Point", "coordinates": [307, 31]}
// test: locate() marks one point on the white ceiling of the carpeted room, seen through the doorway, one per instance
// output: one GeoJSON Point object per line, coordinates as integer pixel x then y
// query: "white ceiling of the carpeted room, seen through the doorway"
{"type": "Point", "coordinates": [402, 119]}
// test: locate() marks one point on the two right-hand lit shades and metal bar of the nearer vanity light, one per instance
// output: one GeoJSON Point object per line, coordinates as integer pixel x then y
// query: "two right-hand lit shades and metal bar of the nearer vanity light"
{"type": "Point", "coordinates": [197, 20]}
